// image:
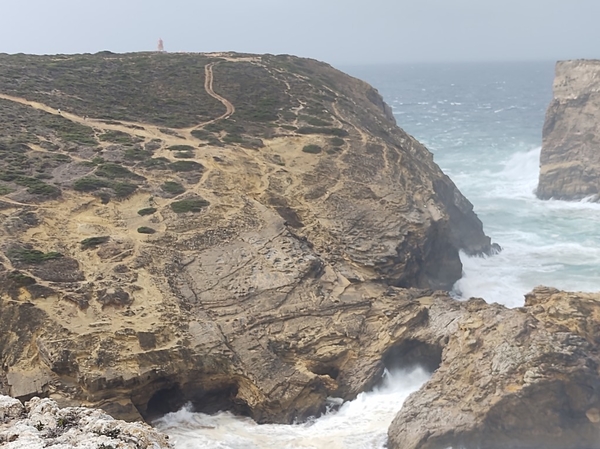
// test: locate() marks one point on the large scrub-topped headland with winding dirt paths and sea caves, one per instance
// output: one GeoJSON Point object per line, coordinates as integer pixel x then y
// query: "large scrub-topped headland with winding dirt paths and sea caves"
{"type": "Point", "coordinates": [221, 229]}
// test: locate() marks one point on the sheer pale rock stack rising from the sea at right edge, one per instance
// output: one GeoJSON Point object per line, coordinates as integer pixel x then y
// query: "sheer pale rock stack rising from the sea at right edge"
{"type": "Point", "coordinates": [570, 160]}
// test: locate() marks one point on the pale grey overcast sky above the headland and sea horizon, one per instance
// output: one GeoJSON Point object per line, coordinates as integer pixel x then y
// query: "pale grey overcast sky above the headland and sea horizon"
{"type": "Point", "coordinates": [336, 31]}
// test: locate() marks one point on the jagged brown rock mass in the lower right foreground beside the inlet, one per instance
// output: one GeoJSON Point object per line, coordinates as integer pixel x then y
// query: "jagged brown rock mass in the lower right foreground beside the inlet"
{"type": "Point", "coordinates": [508, 378]}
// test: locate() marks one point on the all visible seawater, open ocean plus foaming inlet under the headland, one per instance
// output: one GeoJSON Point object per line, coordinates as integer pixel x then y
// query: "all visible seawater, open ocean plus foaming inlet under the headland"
{"type": "Point", "coordinates": [483, 123]}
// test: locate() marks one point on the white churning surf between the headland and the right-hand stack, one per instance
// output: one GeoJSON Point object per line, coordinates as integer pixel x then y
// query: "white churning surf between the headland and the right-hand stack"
{"type": "Point", "coordinates": [553, 243]}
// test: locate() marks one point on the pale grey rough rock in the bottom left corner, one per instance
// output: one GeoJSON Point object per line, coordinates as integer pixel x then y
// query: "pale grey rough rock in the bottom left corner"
{"type": "Point", "coordinates": [41, 423]}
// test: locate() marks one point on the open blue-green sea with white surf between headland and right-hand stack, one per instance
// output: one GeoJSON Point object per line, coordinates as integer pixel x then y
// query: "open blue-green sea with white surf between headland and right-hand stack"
{"type": "Point", "coordinates": [483, 122]}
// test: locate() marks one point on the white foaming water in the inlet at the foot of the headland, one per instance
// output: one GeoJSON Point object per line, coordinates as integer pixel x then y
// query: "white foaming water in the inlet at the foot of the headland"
{"type": "Point", "coordinates": [358, 424]}
